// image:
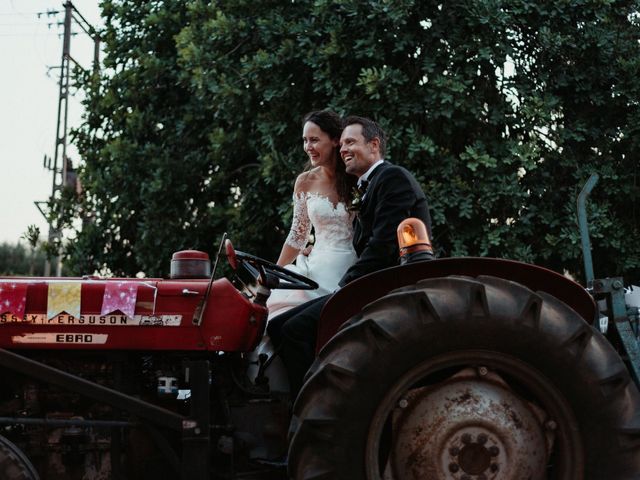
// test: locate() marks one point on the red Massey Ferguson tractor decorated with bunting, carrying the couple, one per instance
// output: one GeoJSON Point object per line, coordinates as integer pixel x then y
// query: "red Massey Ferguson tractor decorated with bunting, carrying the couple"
{"type": "Point", "coordinates": [467, 368]}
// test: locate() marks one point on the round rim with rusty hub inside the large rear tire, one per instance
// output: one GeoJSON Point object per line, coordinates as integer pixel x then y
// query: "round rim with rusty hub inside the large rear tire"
{"type": "Point", "coordinates": [473, 415]}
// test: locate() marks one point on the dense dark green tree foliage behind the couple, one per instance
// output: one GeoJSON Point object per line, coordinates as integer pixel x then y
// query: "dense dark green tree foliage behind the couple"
{"type": "Point", "coordinates": [501, 108]}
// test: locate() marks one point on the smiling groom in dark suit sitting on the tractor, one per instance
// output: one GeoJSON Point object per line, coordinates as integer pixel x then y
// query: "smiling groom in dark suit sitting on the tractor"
{"type": "Point", "coordinates": [389, 194]}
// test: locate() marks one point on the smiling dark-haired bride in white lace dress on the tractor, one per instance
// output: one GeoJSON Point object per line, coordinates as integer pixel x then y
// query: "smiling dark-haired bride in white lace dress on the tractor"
{"type": "Point", "coordinates": [320, 201]}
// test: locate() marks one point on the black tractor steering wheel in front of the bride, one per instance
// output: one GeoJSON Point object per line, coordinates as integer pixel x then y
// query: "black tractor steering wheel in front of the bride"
{"type": "Point", "coordinates": [271, 275]}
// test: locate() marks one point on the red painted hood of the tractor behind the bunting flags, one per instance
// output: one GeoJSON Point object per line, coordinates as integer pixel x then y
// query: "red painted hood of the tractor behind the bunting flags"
{"type": "Point", "coordinates": [231, 322]}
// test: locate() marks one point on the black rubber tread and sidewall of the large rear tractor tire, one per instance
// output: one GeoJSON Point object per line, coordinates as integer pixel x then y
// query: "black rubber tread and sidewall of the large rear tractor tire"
{"type": "Point", "coordinates": [358, 365]}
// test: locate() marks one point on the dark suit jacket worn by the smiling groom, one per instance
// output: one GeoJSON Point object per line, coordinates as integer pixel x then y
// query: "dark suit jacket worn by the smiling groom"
{"type": "Point", "coordinates": [393, 195]}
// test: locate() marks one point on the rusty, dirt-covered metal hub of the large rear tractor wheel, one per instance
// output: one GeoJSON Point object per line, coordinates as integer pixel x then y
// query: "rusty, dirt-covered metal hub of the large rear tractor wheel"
{"type": "Point", "coordinates": [471, 427]}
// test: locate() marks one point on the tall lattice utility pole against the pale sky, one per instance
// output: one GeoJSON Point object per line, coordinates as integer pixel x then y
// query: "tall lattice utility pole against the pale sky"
{"type": "Point", "coordinates": [60, 165]}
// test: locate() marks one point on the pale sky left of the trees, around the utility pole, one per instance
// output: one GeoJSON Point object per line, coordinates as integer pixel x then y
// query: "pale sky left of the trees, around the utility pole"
{"type": "Point", "coordinates": [29, 46]}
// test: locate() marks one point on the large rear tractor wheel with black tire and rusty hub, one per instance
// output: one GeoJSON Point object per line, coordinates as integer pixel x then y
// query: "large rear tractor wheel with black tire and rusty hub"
{"type": "Point", "coordinates": [468, 379]}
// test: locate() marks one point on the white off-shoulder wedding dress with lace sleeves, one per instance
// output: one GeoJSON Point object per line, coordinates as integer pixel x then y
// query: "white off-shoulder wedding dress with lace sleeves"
{"type": "Point", "coordinates": [332, 251]}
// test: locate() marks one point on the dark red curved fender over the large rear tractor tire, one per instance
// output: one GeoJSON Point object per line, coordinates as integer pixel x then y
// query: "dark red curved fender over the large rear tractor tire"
{"type": "Point", "coordinates": [350, 300]}
